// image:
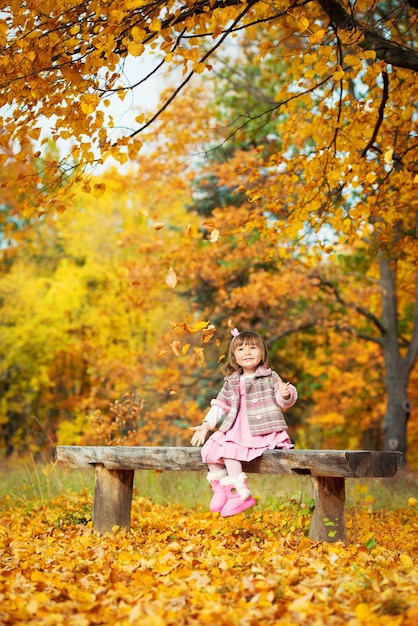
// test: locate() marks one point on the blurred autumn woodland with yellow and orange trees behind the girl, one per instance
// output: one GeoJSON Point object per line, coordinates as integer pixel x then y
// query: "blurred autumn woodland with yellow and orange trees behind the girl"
{"type": "Point", "coordinates": [273, 187]}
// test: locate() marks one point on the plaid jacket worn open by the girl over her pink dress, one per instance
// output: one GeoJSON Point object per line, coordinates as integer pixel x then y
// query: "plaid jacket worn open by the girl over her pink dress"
{"type": "Point", "coordinates": [263, 400]}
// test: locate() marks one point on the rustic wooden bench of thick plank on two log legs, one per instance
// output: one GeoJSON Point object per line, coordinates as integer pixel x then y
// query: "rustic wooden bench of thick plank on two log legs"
{"type": "Point", "coordinates": [115, 466]}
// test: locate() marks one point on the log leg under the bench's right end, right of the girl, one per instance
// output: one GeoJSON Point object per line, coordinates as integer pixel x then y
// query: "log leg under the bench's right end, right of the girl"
{"type": "Point", "coordinates": [328, 520]}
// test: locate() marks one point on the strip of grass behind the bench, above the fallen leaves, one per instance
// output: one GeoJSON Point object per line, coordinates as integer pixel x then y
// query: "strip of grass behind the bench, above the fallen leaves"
{"type": "Point", "coordinates": [26, 480]}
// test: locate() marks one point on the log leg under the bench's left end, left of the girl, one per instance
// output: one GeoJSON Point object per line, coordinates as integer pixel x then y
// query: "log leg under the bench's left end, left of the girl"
{"type": "Point", "coordinates": [112, 498]}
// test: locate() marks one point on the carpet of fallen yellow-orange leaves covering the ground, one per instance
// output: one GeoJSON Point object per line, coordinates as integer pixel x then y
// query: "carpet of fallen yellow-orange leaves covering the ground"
{"type": "Point", "coordinates": [187, 567]}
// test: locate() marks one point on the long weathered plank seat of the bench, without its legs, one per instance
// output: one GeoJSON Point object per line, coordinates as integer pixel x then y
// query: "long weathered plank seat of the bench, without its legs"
{"type": "Point", "coordinates": [338, 463]}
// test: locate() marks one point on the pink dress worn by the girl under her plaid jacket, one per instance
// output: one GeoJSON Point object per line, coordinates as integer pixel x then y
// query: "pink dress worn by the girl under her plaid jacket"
{"type": "Point", "coordinates": [238, 442]}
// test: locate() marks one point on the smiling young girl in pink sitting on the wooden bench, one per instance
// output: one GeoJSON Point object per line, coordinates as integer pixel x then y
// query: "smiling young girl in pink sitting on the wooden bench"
{"type": "Point", "coordinates": [250, 401]}
